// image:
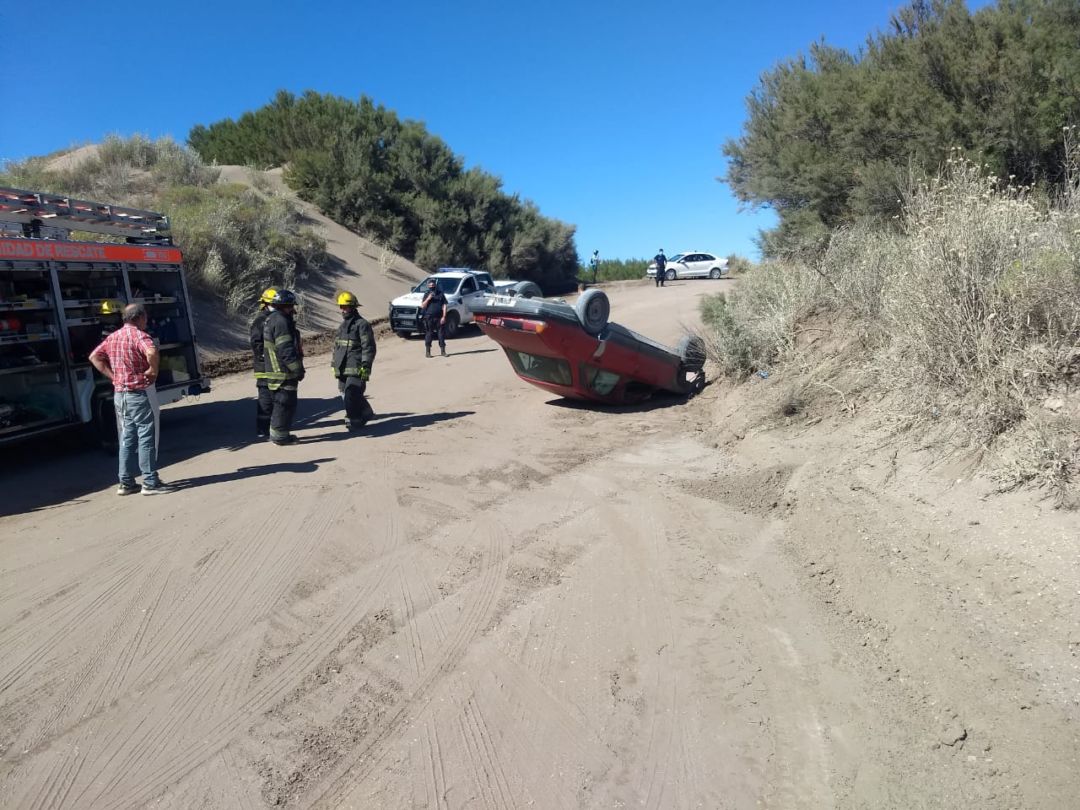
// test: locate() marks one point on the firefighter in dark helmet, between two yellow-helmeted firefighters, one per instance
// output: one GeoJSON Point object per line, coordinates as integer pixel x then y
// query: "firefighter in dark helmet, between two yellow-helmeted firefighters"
{"type": "Point", "coordinates": [283, 364]}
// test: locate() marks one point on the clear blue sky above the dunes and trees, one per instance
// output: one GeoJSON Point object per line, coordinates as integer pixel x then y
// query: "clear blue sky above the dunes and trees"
{"type": "Point", "coordinates": [610, 116]}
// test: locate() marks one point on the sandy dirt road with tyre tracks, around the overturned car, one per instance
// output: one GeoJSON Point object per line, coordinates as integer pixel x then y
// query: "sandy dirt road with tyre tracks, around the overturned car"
{"type": "Point", "coordinates": [493, 600]}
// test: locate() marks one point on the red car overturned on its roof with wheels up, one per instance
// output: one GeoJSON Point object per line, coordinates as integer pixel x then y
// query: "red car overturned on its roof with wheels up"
{"type": "Point", "coordinates": [575, 352]}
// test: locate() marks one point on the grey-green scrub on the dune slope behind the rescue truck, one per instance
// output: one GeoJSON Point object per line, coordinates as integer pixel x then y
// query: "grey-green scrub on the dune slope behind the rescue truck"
{"type": "Point", "coordinates": [237, 240]}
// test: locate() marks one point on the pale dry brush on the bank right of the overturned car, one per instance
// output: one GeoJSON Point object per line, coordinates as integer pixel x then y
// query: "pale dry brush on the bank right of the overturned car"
{"type": "Point", "coordinates": [968, 313]}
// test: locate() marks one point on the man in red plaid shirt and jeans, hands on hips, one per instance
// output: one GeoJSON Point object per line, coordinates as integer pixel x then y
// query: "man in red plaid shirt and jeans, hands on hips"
{"type": "Point", "coordinates": [130, 359]}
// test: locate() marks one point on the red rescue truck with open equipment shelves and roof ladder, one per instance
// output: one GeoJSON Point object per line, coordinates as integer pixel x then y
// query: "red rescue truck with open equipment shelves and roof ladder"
{"type": "Point", "coordinates": [61, 295]}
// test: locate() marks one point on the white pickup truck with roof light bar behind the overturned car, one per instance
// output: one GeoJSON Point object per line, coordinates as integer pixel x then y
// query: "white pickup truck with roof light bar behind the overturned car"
{"type": "Point", "coordinates": [462, 288]}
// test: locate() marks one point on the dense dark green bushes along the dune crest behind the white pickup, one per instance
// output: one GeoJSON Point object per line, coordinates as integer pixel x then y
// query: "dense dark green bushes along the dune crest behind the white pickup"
{"type": "Point", "coordinates": [397, 184]}
